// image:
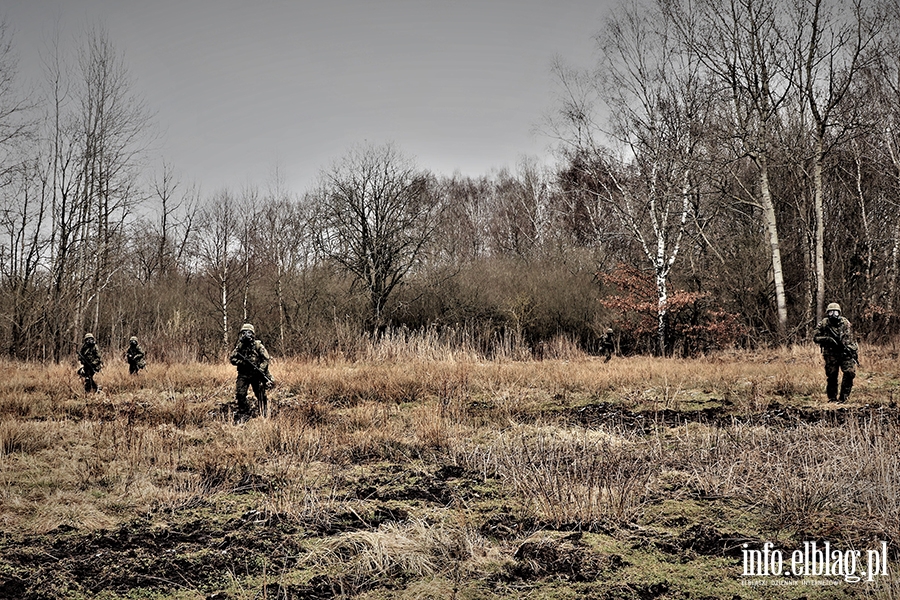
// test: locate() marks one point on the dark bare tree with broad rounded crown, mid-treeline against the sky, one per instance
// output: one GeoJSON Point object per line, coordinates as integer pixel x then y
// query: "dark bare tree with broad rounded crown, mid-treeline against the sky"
{"type": "Point", "coordinates": [374, 214]}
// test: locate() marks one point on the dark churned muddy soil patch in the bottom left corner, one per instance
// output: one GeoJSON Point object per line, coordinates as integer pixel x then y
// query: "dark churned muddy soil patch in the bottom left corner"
{"type": "Point", "coordinates": [197, 554]}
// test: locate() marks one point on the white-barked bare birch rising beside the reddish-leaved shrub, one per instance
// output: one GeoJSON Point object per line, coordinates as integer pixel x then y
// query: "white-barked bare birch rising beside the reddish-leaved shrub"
{"type": "Point", "coordinates": [647, 176]}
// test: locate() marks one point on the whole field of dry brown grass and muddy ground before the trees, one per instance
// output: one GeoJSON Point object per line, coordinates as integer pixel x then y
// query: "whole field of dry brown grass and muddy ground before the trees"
{"type": "Point", "coordinates": [420, 473]}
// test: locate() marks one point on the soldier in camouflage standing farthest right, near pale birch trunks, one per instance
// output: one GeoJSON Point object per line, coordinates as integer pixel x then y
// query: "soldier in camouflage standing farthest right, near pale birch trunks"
{"type": "Point", "coordinates": [840, 351]}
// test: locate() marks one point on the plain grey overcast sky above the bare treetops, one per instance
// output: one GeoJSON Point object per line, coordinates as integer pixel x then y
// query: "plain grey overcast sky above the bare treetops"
{"type": "Point", "coordinates": [240, 86]}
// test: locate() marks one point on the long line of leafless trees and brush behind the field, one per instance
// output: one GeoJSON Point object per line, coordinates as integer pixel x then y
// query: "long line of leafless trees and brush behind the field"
{"type": "Point", "coordinates": [722, 173]}
